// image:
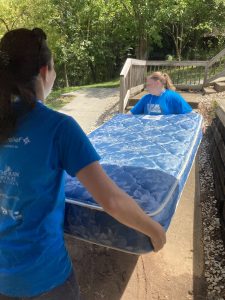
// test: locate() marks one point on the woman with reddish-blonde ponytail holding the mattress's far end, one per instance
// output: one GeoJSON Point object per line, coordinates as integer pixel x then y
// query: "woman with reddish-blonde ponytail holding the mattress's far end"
{"type": "Point", "coordinates": [162, 98]}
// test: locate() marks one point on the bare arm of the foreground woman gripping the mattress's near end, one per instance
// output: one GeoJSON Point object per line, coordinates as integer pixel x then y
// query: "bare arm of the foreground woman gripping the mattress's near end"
{"type": "Point", "coordinates": [120, 205]}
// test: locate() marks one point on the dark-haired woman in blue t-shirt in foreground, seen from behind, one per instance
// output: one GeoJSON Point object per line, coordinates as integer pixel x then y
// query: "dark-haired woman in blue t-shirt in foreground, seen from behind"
{"type": "Point", "coordinates": [37, 146]}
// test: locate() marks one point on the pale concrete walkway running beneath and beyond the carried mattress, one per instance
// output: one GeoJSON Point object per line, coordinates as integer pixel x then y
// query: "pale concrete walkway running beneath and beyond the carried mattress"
{"type": "Point", "coordinates": [175, 273]}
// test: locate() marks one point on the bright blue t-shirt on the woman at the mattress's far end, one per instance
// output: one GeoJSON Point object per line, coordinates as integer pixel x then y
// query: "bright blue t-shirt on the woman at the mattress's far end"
{"type": "Point", "coordinates": [169, 102]}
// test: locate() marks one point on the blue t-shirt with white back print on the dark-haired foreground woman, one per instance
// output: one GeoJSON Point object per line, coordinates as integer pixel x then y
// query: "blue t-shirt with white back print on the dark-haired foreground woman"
{"type": "Point", "coordinates": [33, 257]}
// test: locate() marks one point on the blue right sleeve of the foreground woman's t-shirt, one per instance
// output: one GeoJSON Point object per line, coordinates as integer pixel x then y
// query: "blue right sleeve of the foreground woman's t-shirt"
{"type": "Point", "coordinates": [75, 148]}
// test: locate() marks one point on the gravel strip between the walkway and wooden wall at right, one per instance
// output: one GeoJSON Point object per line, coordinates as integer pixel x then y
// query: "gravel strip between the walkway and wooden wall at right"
{"type": "Point", "coordinates": [214, 250]}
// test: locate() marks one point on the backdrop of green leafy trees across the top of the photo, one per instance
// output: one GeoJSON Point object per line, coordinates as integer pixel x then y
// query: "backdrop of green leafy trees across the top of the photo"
{"type": "Point", "coordinates": [91, 39]}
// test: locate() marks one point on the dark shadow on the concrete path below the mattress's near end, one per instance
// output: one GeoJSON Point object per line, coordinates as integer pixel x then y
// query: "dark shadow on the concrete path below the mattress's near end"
{"type": "Point", "coordinates": [102, 273]}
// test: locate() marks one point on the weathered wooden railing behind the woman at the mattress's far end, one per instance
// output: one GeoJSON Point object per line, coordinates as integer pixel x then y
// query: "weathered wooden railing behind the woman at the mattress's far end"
{"type": "Point", "coordinates": [184, 74]}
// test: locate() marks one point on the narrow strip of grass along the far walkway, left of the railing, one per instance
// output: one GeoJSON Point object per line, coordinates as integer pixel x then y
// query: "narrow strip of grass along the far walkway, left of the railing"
{"type": "Point", "coordinates": [55, 100]}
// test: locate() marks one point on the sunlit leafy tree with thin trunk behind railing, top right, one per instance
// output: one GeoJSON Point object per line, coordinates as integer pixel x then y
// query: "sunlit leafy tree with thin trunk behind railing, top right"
{"type": "Point", "coordinates": [186, 20]}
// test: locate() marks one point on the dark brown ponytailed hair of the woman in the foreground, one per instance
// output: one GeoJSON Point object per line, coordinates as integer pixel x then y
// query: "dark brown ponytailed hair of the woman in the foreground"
{"type": "Point", "coordinates": [22, 53]}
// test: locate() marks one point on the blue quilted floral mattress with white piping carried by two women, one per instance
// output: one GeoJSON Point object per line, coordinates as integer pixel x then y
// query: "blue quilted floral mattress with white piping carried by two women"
{"type": "Point", "coordinates": [150, 158]}
